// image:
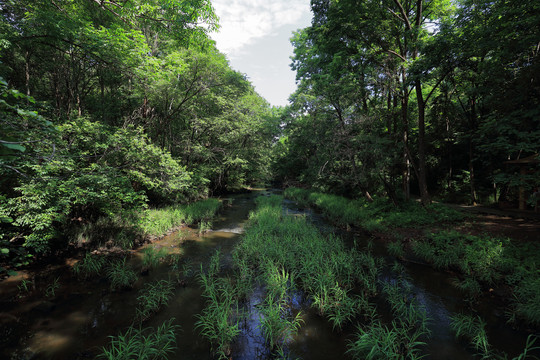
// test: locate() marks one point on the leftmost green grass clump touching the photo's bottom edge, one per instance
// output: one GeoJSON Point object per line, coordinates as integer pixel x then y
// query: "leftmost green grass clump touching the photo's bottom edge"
{"type": "Point", "coordinates": [143, 344]}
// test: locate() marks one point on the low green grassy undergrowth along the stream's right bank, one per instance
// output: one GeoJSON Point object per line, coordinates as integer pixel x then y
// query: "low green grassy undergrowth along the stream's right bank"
{"type": "Point", "coordinates": [481, 261]}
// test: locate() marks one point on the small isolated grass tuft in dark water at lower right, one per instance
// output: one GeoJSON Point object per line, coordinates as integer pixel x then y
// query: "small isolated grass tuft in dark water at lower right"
{"type": "Point", "coordinates": [473, 329]}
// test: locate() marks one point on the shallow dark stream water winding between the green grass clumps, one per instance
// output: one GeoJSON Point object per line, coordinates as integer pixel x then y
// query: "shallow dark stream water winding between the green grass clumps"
{"type": "Point", "coordinates": [76, 322]}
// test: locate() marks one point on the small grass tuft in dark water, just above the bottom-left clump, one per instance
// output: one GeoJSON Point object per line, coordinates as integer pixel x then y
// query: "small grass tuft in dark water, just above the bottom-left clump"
{"type": "Point", "coordinates": [152, 296]}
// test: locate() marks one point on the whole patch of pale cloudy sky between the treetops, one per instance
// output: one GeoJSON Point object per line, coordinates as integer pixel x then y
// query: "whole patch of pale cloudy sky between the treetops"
{"type": "Point", "coordinates": [254, 35]}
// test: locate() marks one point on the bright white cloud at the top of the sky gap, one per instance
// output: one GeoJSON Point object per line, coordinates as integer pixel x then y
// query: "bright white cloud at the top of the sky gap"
{"type": "Point", "coordinates": [244, 21]}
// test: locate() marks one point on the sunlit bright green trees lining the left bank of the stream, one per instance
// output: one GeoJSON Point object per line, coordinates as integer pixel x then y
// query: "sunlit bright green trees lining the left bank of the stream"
{"type": "Point", "coordinates": [110, 106]}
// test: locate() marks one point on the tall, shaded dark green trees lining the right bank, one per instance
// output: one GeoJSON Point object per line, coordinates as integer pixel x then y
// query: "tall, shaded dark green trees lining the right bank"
{"type": "Point", "coordinates": [429, 97]}
